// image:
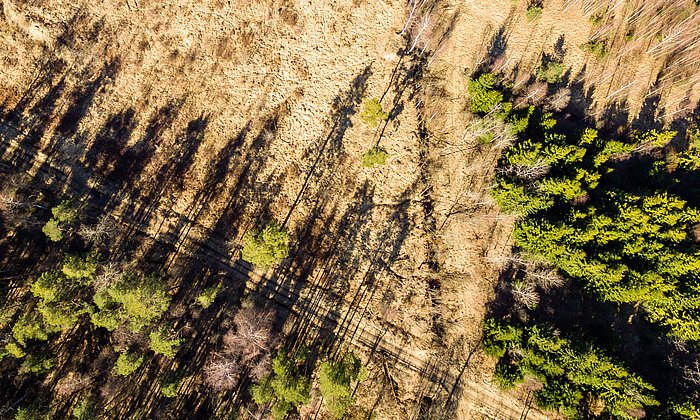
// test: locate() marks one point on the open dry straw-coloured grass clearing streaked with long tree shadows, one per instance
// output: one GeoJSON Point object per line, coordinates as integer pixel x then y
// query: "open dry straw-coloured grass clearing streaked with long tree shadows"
{"type": "Point", "coordinates": [193, 122]}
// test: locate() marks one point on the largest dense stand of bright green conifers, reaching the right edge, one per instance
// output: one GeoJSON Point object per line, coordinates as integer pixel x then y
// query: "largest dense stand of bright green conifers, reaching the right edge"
{"type": "Point", "coordinates": [627, 245]}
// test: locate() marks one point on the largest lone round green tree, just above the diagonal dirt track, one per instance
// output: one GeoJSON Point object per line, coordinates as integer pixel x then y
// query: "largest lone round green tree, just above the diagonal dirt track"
{"type": "Point", "coordinates": [268, 248]}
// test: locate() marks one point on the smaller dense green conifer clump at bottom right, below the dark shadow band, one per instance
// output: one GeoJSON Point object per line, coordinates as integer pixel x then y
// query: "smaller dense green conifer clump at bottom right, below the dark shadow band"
{"type": "Point", "coordinates": [578, 382]}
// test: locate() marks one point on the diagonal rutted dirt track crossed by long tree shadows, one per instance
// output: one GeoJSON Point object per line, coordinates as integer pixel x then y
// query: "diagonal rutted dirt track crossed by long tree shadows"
{"type": "Point", "coordinates": [360, 332]}
